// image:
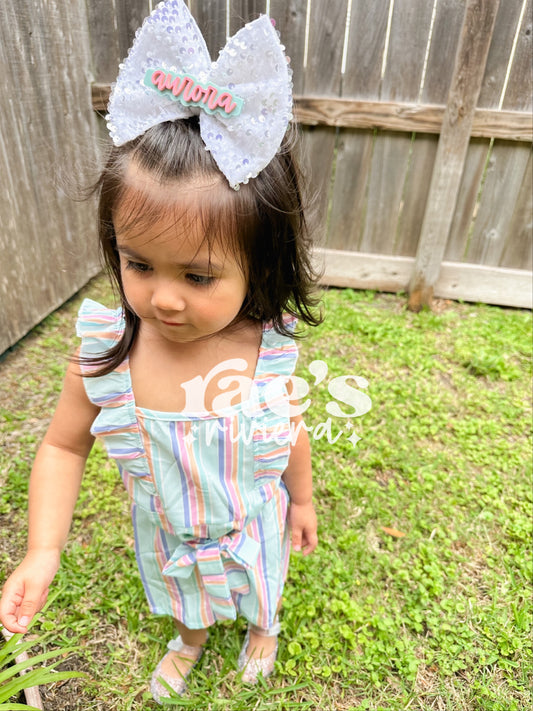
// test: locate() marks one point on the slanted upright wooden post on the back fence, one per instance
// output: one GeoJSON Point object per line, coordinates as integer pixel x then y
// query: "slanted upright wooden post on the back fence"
{"type": "Point", "coordinates": [470, 61]}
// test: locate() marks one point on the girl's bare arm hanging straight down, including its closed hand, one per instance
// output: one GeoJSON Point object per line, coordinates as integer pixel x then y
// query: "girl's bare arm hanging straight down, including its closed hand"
{"type": "Point", "coordinates": [299, 482]}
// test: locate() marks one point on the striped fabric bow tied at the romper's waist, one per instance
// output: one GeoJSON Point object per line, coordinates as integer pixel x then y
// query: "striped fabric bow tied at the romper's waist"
{"type": "Point", "coordinates": [208, 555]}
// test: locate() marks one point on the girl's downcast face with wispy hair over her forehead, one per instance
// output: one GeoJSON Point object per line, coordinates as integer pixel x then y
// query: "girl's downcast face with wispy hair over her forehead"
{"type": "Point", "coordinates": [181, 288]}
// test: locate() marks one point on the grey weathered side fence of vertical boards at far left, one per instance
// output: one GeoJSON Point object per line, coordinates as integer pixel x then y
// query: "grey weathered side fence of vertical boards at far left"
{"type": "Point", "coordinates": [47, 142]}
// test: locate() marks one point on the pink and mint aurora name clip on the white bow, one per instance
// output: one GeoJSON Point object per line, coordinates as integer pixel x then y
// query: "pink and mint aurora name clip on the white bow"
{"type": "Point", "coordinates": [190, 92]}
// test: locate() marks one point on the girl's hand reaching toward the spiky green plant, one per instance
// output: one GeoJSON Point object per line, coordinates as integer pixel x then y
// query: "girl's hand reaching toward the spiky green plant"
{"type": "Point", "coordinates": [26, 590]}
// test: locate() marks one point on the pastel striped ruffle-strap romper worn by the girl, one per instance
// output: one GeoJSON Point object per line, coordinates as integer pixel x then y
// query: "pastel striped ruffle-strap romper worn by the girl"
{"type": "Point", "coordinates": [208, 504]}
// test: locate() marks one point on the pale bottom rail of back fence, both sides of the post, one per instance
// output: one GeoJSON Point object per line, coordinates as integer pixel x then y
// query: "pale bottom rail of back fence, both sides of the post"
{"type": "Point", "coordinates": [468, 282]}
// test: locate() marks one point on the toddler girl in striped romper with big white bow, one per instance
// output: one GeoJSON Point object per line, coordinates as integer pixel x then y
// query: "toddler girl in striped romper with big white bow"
{"type": "Point", "coordinates": [201, 226]}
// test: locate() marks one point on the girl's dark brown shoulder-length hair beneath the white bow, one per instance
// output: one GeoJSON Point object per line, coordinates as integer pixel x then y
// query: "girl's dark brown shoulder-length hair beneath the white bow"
{"type": "Point", "coordinates": [265, 219]}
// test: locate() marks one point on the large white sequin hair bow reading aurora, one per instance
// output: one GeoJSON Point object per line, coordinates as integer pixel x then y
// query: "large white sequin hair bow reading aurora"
{"type": "Point", "coordinates": [243, 99]}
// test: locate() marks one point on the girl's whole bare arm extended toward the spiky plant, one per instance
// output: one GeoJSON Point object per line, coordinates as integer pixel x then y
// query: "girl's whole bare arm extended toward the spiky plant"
{"type": "Point", "coordinates": [54, 485]}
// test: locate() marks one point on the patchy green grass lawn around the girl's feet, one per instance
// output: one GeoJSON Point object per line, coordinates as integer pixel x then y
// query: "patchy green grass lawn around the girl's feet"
{"type": "Point", "coordinates": [419, 595]}
